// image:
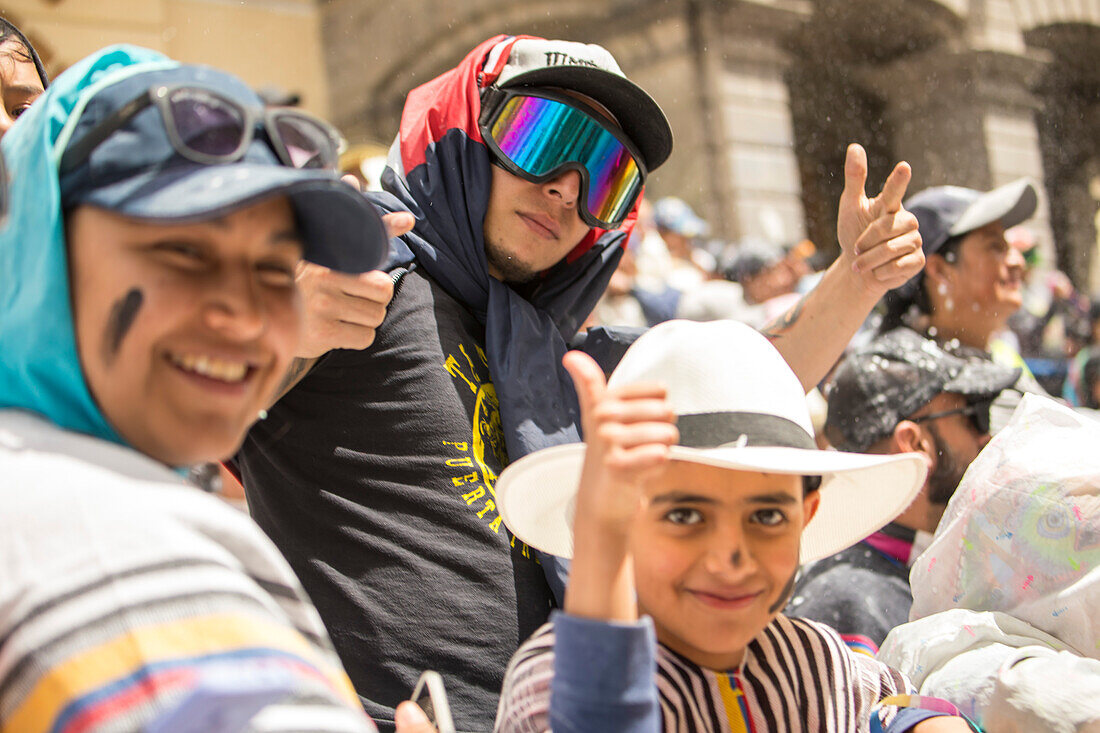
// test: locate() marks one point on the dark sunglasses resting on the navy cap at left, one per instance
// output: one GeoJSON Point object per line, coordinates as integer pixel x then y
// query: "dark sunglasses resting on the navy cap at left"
{"type": "Point", "coordinates": [210, 128]}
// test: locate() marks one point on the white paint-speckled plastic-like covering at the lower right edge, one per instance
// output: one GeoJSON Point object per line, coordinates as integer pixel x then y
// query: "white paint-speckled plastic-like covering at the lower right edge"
{"type": "Point", "coordinates": [1005, 618]}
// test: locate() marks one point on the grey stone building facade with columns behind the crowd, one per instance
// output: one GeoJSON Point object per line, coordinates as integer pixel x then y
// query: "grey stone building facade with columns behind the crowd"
{"type": "Point", "coordinates": [764, 95]}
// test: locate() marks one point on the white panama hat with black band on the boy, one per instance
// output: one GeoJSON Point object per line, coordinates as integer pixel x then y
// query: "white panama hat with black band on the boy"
{"type": "Point", "coordinates": [741, 408]}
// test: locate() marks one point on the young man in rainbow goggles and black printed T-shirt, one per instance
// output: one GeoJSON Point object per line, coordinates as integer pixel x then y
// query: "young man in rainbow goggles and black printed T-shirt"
{"type": "Point", "coordinates": [523, 167]}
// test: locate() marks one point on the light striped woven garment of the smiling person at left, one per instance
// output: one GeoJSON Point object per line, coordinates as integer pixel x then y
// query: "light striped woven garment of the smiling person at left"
{"type": "Point", "coordinates": [128, 598]}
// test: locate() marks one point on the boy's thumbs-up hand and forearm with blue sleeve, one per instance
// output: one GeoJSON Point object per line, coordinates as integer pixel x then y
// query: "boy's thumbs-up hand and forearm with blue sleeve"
{"type": "Point", "coordinates": [604, 665]}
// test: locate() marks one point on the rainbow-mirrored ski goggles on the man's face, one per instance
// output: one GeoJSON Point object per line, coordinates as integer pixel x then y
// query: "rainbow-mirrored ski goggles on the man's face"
{"type": "Point", "coordinates": [538, 135]}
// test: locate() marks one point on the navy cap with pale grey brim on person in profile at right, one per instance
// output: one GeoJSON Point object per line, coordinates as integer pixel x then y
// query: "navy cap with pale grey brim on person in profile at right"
{"type": "Point", "coordinates": [947, 212]}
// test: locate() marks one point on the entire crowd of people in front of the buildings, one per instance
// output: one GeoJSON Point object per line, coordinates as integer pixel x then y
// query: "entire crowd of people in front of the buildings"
{"type": "Point", "coordinates": [508, 422]}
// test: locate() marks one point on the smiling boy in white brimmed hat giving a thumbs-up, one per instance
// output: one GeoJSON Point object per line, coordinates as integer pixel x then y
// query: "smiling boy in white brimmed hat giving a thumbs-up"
{"type": "Point", "coordinates": [699, 491]}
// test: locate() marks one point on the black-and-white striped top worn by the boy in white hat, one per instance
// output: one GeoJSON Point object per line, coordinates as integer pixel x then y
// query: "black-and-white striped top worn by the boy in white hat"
{"type": "Point", "coordinates": [798, 676]}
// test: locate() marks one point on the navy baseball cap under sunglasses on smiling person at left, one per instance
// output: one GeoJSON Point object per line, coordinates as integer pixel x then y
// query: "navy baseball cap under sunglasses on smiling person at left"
{"type": "Point", "coordinates": [137, 172]}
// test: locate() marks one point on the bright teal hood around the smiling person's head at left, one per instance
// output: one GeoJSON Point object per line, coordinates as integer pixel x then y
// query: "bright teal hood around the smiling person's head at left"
{"type": "Point", "coordinates": [40, 369]}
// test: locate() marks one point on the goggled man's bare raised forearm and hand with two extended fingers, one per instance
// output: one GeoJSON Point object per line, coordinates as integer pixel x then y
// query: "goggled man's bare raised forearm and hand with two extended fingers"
{"type": "Point", "coordinates": [881, 249]}
